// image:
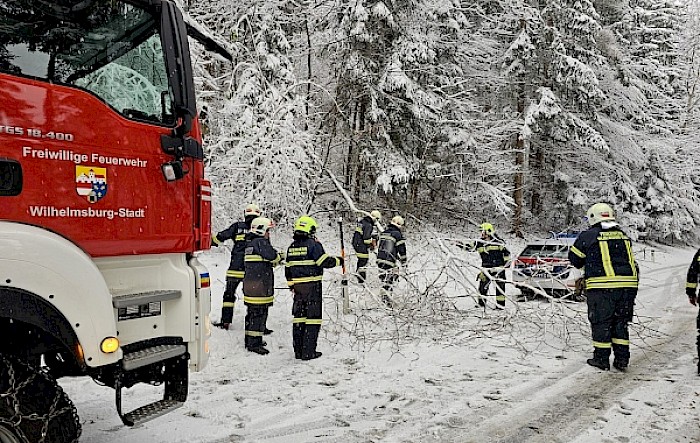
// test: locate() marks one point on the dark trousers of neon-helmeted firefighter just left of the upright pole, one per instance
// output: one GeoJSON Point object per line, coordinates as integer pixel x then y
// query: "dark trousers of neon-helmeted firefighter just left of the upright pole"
{"type": "Point", "coordinates": [307, 311]}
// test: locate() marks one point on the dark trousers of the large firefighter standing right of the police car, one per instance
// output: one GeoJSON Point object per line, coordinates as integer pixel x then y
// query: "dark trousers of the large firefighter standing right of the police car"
{"type": "Point", "coordinates": [609, 312]}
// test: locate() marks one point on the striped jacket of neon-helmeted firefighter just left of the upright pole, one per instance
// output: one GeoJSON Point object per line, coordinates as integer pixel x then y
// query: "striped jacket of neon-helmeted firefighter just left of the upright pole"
{"type": "Point", "coordinates": [305, 261]}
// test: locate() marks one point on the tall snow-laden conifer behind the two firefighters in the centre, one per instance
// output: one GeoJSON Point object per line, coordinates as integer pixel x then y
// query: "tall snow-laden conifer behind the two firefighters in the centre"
{"type": "Point", "coordinates": [397, 79]}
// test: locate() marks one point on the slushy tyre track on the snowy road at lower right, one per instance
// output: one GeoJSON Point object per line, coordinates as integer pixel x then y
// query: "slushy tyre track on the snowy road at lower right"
{"type": "Point", "coordinates": [573, 404]}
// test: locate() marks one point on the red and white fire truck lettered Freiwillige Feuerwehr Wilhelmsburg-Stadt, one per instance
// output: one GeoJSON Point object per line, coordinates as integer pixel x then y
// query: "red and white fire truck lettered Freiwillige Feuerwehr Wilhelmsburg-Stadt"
{"type": "Point", "coordinates": [103, 209]}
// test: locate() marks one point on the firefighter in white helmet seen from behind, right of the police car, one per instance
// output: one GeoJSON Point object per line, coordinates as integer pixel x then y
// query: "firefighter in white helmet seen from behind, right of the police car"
{"type": "Point", "coordinates": [611, 281]}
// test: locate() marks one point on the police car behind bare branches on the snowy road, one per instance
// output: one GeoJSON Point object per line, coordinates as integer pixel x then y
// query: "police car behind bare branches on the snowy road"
{"type": "Point", "coordinates": [544, 265]}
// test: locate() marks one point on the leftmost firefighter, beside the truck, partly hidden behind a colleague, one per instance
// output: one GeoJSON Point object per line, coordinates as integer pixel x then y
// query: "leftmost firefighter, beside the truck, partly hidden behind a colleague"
{"type": "Point", "coordinates": [236, 232]}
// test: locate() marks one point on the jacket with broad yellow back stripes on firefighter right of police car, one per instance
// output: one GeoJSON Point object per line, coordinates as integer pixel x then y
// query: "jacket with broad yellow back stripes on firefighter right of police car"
{"type": "Point", "coordinates": [607, 255]}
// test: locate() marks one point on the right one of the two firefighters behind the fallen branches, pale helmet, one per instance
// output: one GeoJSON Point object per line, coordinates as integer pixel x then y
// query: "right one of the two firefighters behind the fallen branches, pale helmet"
{"type": "Point", "coordinates": [391, 254]}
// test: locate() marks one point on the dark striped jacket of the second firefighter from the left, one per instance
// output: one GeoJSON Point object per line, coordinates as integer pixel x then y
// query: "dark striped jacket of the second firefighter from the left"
{"type": "Point", "coordinates": [259, 281]}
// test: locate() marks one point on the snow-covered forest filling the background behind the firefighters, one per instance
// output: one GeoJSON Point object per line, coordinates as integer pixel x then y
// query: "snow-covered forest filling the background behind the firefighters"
{"type": "Point", "coordinates": [519, 112]}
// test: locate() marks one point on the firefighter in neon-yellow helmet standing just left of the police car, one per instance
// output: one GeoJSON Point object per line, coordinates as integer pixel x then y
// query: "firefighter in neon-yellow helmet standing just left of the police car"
{"type": "Point", "coordinates": [494, 259]}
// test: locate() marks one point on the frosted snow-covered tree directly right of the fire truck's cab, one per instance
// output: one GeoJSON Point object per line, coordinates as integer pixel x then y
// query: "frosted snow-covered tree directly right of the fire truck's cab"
{"type": "Point", "coordinates": [258, 150]}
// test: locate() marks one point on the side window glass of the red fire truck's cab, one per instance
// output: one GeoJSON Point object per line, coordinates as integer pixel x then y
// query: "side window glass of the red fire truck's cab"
{"type": "Point", "coordinates": [110, 48]}
